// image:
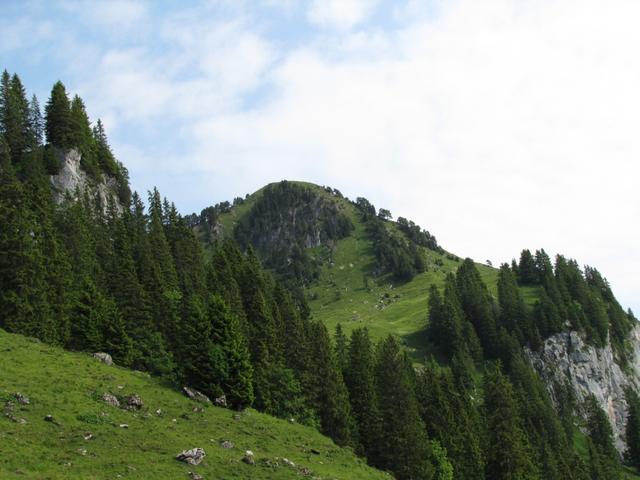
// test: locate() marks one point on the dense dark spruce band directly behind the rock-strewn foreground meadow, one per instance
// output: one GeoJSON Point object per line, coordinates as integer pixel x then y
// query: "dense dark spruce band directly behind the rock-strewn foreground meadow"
{"type": "Point", "coordinates": [135, 283]}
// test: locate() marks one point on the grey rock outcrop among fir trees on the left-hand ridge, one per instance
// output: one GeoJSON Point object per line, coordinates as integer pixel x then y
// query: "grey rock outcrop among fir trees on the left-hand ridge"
{"type": "Point", "coordinates": [73, 179]}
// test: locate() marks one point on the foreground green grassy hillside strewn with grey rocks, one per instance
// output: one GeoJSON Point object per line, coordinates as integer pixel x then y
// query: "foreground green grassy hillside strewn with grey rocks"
{"type": "Point", "coordinates": [69, 386]}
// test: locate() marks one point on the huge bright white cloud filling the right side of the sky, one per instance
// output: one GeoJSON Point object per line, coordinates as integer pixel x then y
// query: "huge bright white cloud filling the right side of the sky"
{"type": "Point", "coordinates": [499, 126]}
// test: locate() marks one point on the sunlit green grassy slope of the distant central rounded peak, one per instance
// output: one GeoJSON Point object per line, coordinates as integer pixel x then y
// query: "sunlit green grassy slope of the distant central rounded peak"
{"type": "Point", "coordinates": [349, 293]}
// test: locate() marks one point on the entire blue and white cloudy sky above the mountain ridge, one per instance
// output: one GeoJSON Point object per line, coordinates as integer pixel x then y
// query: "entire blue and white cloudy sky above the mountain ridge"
{"type": "Point", "coordinates": [497, 125]}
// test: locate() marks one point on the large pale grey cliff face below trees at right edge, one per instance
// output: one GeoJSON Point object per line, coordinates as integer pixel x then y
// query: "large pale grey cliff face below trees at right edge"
{"type": "Point", "coordinates": [567, 357]}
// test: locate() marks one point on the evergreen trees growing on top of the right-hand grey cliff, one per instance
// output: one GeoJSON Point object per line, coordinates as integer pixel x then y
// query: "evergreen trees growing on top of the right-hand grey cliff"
{"type": "Point", "coordinates": [571, 298]}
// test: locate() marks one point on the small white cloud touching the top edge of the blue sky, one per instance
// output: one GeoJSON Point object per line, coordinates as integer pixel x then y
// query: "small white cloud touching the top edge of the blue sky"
{"type": "Point", "coordinates": [340, 14]}
